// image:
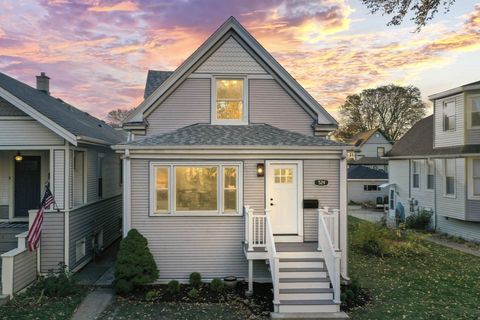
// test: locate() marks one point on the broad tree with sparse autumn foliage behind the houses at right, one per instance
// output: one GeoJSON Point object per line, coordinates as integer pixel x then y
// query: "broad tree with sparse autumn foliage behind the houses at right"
{"type": "Point", "coordinates": [392, 109]}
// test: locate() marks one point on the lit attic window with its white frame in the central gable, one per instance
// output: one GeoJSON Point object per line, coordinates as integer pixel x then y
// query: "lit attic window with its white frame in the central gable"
{"type": "Point", "coordinates": [230, 103]}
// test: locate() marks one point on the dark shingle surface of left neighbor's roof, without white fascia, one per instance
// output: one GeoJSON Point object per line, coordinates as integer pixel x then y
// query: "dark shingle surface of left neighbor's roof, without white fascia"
{"type": "Point", "coordinates": [65, 115]}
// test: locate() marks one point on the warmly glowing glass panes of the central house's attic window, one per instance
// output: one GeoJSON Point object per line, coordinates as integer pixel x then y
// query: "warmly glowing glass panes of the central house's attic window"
{"type": "Point", "coordinates": [229, 99]}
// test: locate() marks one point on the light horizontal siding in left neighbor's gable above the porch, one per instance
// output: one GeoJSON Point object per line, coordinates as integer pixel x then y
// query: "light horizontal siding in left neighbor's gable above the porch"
{"type": "Point", "coordinates": [26, 133]}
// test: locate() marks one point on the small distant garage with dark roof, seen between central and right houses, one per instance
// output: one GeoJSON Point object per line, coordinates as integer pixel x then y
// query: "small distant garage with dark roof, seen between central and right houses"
{"type": "Point", "coordinates": [364, 184]}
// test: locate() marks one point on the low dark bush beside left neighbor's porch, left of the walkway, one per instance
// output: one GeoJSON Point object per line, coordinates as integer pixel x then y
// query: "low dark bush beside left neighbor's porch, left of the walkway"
{"type": "Point", "coordinates": [60, 284]}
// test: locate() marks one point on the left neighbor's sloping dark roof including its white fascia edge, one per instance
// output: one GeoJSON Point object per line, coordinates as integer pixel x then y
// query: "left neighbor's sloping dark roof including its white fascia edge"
{"type": "Point", "coordinates": [62, 118]}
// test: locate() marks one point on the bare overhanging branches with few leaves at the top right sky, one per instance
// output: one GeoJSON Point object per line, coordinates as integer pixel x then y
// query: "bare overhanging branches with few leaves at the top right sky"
{"type": "Point", "coordinates": [422, 10]}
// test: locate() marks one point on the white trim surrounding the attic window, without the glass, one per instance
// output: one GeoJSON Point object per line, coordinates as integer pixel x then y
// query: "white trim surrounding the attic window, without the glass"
{"type": "Point", "coordinates": [213, 111]}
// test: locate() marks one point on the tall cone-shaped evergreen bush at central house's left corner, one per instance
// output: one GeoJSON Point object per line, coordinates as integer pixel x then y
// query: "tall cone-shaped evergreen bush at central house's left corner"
{"type": "Point", "coordinates": [135, 264]}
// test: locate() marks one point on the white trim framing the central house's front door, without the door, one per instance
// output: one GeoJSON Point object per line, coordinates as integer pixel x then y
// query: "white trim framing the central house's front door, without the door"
{"type": "Point", "coordinates": [299, 236]}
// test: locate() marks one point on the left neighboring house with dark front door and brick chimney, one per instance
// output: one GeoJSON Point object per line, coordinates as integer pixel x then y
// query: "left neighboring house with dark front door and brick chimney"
{"type": "Point", "coordinates": [45, 139]}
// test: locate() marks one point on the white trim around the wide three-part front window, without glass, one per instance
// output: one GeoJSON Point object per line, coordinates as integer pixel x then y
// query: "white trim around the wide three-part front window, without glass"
{"type": "Point", "coordinates": [171, 189]}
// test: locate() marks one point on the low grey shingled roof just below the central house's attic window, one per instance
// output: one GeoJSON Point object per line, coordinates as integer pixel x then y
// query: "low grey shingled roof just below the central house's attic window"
{"type": "Point", "coordinates": [232, 135]}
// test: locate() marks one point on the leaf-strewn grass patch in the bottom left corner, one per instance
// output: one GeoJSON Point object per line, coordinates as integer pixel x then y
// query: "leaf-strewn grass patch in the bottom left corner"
{"type": "Point", "coordinates": [29, 306]}
